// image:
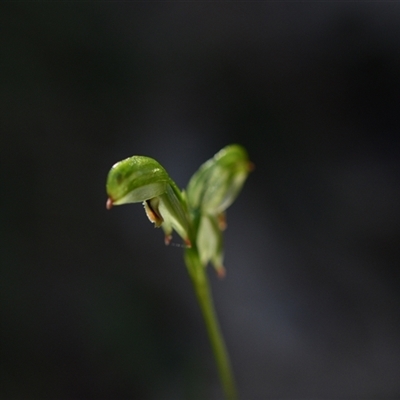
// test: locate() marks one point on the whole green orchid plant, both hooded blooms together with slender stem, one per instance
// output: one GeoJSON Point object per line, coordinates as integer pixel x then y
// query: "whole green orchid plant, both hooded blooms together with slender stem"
{"type": "Point", "coordinates": [197, 215]}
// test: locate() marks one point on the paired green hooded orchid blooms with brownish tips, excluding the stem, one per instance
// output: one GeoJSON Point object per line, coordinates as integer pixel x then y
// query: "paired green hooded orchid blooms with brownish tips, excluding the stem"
{"type": "Point", "coordinates": [197, 215]}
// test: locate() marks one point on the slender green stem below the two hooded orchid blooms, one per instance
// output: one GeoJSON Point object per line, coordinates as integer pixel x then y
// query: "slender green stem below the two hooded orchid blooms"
{"type": "Point", "coordinates": [202, 288]}
